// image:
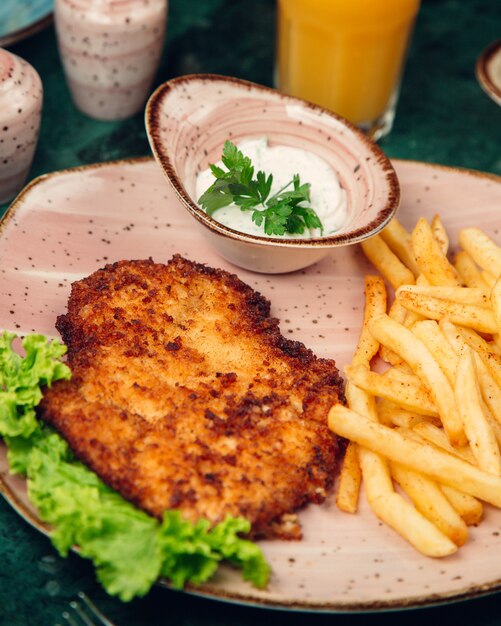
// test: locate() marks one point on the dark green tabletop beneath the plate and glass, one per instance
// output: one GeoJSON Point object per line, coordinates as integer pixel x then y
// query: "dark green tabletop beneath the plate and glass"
{"type": "Point", "coordinates": [443, 117]}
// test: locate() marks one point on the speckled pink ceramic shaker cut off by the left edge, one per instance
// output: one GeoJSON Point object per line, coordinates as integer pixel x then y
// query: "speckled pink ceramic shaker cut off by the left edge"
{"type": "Point", "coordinates": [21, 97]}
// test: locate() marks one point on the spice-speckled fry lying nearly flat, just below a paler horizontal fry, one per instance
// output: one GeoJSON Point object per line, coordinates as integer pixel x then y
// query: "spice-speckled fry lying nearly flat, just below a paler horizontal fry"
{"type": "Point", "coordinates": [463, 314]}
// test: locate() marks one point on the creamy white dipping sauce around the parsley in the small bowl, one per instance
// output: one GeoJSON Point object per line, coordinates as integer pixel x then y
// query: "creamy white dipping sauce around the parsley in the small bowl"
{"type": "Point", "coordinates": [327, 198]}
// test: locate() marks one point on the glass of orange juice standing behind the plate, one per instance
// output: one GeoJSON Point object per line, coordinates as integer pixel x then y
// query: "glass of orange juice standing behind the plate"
{"type": "Point", "coordinates": [346, 55]}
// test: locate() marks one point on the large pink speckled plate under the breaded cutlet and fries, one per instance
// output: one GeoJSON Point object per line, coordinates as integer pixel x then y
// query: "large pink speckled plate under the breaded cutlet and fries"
{"type": "Point", "coordinates": [68, 224]}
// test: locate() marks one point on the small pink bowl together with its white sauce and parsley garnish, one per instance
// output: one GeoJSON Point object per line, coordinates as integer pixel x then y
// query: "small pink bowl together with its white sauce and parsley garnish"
{"type": "Point", "coordinates": [322, 183]}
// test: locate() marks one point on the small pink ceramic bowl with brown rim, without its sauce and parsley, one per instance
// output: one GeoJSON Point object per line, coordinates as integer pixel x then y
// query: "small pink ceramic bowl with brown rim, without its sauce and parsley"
{"type": "Point", "coordinates": [189, 118]}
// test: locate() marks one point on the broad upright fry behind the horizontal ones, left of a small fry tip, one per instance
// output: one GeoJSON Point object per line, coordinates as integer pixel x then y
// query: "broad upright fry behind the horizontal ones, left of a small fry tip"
{"type": "Point", "coordinates": [430, 258]}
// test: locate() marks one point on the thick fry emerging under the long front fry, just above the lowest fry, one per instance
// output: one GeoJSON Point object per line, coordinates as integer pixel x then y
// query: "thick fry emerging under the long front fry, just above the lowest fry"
{"type": "Point", "coordinates": [431, 502]}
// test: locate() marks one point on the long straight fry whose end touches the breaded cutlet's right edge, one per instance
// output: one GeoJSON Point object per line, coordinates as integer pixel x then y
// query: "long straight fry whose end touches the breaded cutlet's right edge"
{"type": "Point", "coordinates": [443, 467]}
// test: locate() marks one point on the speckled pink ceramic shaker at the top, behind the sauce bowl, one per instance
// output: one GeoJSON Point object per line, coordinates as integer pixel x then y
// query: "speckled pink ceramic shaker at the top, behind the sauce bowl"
{"type": "Point", "coordinates": [110, 51]}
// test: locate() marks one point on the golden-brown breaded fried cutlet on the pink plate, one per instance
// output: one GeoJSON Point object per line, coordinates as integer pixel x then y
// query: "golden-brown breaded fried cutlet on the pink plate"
{"type": "Point", "coordinates": [185, 395]}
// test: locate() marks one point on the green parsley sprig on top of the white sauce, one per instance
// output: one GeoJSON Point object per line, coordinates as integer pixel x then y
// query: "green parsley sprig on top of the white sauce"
{"type": "Point", "coordinates": [281, 213]}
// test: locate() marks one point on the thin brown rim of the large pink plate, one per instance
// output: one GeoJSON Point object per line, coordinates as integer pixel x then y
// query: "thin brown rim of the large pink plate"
{"type": "Point", "coordinates": [207, 590]}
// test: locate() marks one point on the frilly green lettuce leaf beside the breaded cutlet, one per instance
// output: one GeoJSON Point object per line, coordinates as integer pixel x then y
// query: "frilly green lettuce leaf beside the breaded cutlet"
{"type": "Point", "coordinates": [129, 549]}
